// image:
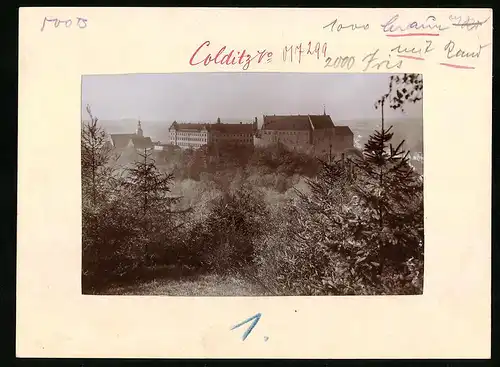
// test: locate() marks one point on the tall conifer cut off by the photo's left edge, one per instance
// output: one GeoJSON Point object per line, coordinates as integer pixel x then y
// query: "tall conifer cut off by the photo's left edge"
{"type": "Point", "coordinates": [106, 223]}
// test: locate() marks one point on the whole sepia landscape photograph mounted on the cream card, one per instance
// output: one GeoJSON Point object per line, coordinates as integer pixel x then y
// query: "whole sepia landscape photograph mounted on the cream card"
{"type": "Point", "coordinates": [252, 184]}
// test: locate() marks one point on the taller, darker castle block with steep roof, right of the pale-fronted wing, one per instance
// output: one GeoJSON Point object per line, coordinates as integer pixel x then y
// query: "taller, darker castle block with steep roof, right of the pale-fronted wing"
{"type": "Point", "coordinates": [314, 134]}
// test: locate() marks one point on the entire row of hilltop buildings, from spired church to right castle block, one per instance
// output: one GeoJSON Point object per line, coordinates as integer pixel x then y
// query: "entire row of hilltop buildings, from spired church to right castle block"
{"type": "Point", "coordinates": [316, 135]}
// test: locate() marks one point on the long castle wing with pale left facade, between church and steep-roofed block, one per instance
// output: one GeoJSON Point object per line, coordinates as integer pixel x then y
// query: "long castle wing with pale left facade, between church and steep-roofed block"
{"type": "Point", "coordinates": [187, 135]}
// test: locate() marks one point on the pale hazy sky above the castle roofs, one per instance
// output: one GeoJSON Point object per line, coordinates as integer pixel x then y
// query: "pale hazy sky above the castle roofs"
{"type": "Point", "coordinates": [206, 96]}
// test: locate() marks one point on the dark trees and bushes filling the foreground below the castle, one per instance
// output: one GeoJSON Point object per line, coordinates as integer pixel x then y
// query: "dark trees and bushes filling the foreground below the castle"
{"type": "Point", "coordinates": [282, 222]}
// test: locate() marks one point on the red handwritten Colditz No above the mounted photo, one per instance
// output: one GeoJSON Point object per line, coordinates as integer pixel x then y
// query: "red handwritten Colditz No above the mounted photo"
{"type": "Point", "coordinates": [231, 57]}
